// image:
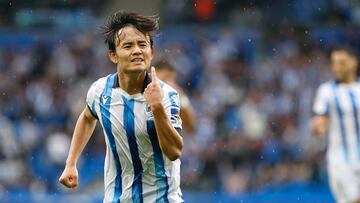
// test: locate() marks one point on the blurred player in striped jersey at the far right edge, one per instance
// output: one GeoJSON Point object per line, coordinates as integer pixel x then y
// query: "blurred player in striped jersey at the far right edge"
{"type": "Point", "coordinates": [337, 109]}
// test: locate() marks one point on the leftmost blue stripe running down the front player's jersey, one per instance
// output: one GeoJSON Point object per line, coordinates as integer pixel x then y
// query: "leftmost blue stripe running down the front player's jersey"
{"type": "Point", "coordinates": [105, 115]}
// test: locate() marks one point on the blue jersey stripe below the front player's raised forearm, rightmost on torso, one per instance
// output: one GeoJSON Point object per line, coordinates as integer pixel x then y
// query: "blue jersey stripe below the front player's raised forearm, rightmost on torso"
{"type": "Point", "coordinates": [161, 178]}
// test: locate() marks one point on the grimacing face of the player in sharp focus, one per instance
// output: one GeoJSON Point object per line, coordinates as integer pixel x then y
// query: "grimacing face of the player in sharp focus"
{"type": "Point", "coordinates": [133, 51]}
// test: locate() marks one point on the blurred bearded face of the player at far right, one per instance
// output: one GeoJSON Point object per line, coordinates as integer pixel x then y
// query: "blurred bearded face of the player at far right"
{"type": "Point", "coordinates": [343, 65]}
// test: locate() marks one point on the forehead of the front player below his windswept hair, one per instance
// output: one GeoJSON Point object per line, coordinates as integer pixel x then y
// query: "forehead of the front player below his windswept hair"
{"type": "Point", "coordinates": [130, 33]}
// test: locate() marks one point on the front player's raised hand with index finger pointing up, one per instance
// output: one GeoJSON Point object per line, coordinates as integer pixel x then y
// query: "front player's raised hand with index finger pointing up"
{"type": "Point", "coordinates": [153, 92]}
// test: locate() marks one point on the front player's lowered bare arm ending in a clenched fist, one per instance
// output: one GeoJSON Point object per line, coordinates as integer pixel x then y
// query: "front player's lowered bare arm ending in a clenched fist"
{"type": "Point", "coordinates": [84, 128]}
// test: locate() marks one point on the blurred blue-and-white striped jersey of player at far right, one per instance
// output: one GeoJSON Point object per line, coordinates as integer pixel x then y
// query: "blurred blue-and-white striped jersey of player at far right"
{"type": "Point", "coordinates": [341, 103]}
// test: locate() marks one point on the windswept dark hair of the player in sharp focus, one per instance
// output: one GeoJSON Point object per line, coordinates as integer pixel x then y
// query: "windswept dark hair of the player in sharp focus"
{"type": "Point", "coordinates": [120, 19]}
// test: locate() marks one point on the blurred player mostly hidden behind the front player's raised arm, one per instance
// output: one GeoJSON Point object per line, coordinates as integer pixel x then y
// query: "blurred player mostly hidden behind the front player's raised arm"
{"type": "Point", "coordinates": [167, 73]}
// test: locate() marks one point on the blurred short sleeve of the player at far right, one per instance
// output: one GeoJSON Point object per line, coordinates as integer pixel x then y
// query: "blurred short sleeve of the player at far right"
{"type": "Point", "coordinates": [321, 102]}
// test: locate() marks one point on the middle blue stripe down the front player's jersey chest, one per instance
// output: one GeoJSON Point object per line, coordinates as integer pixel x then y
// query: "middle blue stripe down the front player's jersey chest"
{"type": "Point", "coordinates": [129, 125]}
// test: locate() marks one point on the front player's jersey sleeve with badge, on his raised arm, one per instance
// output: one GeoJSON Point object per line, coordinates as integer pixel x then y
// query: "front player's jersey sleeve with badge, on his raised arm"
{"type": "Point", "coordinates": [172, 108]}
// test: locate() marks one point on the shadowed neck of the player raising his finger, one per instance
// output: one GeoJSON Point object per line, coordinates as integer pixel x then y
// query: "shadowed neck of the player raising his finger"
{"type": "Point", "coordinates": [131, 83]}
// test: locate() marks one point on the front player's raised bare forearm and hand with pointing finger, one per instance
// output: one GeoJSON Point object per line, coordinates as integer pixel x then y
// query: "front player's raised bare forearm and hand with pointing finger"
{"type": "Point", "coordinates": [170, 141]}
